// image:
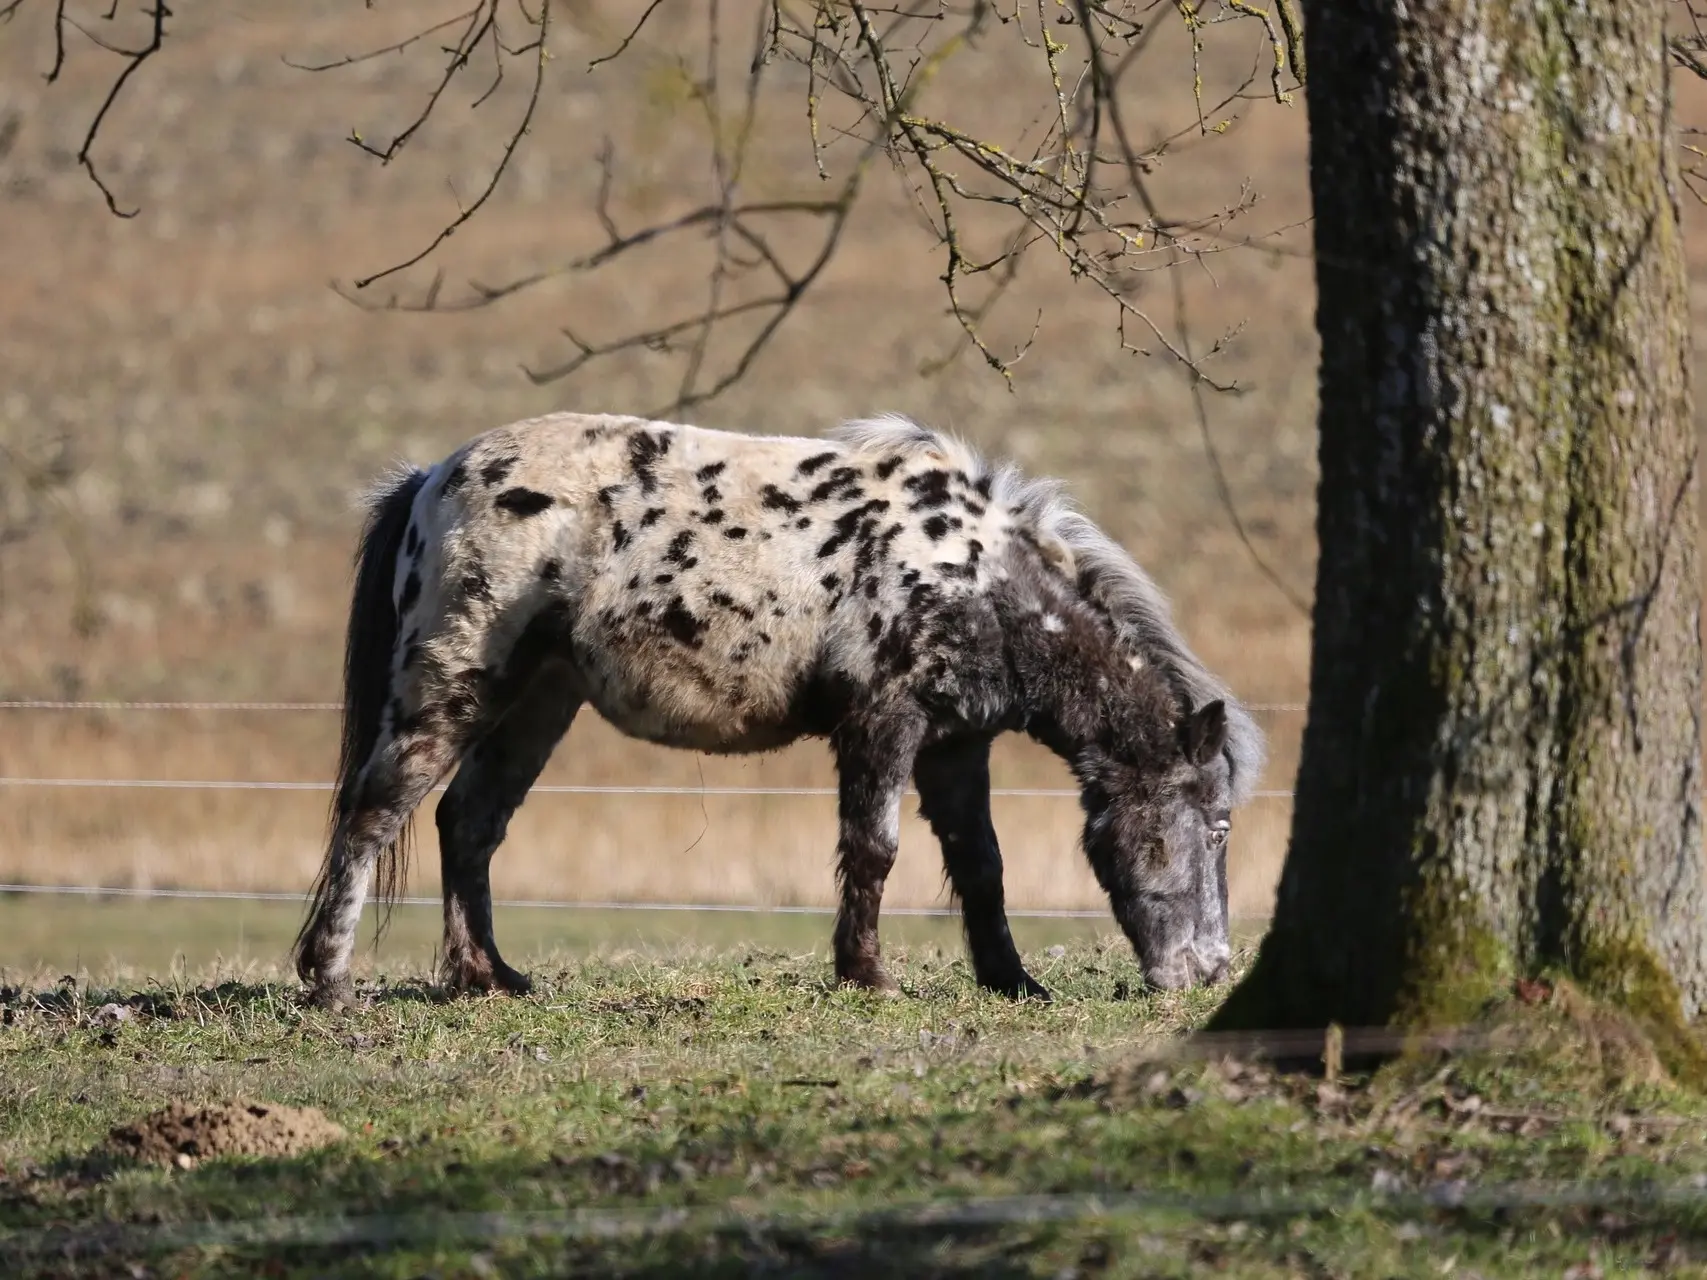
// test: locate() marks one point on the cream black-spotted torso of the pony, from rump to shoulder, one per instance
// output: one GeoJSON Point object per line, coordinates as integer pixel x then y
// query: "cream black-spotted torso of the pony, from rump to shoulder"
{"type": "Point", "coordinates": [720, 583]}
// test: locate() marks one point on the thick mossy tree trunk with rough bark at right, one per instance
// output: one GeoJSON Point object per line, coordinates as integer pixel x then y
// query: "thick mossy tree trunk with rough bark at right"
{"type": "Point", "coordinates": [1501, 771]}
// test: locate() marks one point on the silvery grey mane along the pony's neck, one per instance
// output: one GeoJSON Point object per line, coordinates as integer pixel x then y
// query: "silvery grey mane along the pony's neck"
{"type": "Point", "coordinates": [1097, 564]}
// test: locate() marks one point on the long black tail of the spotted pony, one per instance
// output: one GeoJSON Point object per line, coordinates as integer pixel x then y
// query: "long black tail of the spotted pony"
{"type": "Point", "coordinates": [368, 651]}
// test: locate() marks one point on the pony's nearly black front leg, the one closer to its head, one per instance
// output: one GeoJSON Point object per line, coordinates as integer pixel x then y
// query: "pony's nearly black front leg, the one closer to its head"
{"type": "Point", "coordinates": [955, 798]}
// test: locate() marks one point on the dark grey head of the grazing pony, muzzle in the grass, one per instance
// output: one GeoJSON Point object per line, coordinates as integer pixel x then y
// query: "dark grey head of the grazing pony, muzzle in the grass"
{"type": "Point", "coordinates": [1156, 834]}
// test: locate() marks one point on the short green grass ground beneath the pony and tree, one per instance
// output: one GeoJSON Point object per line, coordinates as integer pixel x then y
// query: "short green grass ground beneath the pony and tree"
{"type": "Point", "coordinates": [805, 1131]}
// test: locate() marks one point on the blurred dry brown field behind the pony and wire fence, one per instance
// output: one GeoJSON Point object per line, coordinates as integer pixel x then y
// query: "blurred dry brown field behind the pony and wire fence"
{"type": "Point", "coordinates": [223, 407]}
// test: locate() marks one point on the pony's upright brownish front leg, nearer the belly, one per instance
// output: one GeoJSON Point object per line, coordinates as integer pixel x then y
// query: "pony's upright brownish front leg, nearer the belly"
{"type": "Point", "coordinates": [875, 759]}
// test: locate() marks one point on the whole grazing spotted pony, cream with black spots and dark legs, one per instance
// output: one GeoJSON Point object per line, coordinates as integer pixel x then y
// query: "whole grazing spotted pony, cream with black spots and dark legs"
{"type": "Point", "coordinates": [883, 588]}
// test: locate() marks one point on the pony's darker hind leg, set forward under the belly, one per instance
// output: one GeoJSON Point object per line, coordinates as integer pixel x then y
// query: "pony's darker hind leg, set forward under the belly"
{"type": "Point", "coordinates": [475, 812]}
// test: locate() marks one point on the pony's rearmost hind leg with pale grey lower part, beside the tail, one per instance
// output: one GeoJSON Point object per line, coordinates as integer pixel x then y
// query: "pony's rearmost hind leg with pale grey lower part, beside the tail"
{"type": "Point", "coordinates": [407, 762]}
